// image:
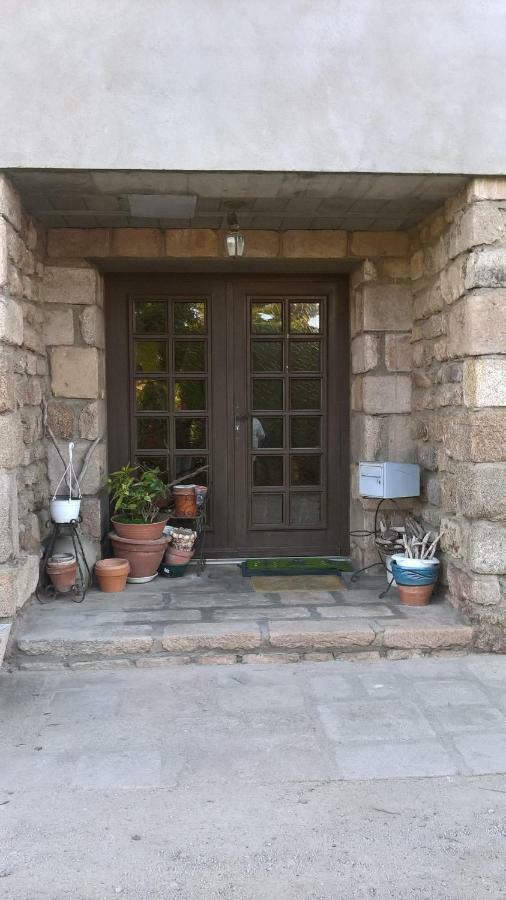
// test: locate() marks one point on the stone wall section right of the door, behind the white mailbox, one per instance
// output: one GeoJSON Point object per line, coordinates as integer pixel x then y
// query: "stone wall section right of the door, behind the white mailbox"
{"type": "Point", "coordinates": [381, 321]}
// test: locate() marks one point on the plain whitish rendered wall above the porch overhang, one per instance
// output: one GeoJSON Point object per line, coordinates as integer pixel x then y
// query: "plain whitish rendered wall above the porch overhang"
{"type": "Point", "coordinates": [314, 85]}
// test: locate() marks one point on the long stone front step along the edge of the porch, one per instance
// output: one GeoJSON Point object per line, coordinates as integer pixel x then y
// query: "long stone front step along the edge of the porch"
{"type": "Point", "coordinates": [268, 640]}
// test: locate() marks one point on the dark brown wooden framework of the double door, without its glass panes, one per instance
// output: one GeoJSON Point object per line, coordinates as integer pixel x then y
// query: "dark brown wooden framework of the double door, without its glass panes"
{"type": "Point", "coordinates": [224, 367]}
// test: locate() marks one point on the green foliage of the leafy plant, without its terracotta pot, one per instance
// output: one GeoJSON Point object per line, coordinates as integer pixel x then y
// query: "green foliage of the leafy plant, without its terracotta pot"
{"type": "Point", "coordinates": [134, 491]}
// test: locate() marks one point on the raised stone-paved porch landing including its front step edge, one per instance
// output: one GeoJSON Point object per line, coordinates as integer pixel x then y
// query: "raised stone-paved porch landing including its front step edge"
{"type": "Point", "coordinates": [221, 618]}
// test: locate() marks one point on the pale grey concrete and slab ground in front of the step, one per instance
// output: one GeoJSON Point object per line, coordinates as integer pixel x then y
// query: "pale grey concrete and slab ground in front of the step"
{"type": "Point", "coordinates": [329, 780]}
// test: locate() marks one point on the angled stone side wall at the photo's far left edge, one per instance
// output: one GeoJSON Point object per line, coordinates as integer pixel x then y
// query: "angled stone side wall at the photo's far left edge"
{"type": "Point", "coordinates": [23, 381]}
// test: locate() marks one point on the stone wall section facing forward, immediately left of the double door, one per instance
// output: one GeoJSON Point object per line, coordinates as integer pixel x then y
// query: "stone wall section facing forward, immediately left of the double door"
{"type": "Point", "coordinates": [74, 324]}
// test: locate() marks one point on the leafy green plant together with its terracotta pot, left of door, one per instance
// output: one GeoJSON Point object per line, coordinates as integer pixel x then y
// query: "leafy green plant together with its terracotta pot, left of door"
{"type": "Point", "coordinates": [134, 492]}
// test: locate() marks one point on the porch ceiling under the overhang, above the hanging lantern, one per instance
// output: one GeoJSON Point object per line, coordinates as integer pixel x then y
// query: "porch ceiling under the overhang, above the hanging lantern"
{"type": "Point", "coordinates": [264, 200]}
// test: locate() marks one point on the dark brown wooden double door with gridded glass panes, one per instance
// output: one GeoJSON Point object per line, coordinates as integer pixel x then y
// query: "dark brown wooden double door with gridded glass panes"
{"type": "Point", "coordinates": [248, 375]}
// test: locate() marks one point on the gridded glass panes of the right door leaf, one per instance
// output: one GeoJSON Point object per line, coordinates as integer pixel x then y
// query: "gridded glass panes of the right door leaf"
{"type": "Point", "coordinates": [285, 412]}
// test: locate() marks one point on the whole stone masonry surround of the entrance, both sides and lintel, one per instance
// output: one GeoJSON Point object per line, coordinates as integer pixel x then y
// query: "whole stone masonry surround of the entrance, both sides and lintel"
{"type": "Point", "coordinates": [427, 347]}
